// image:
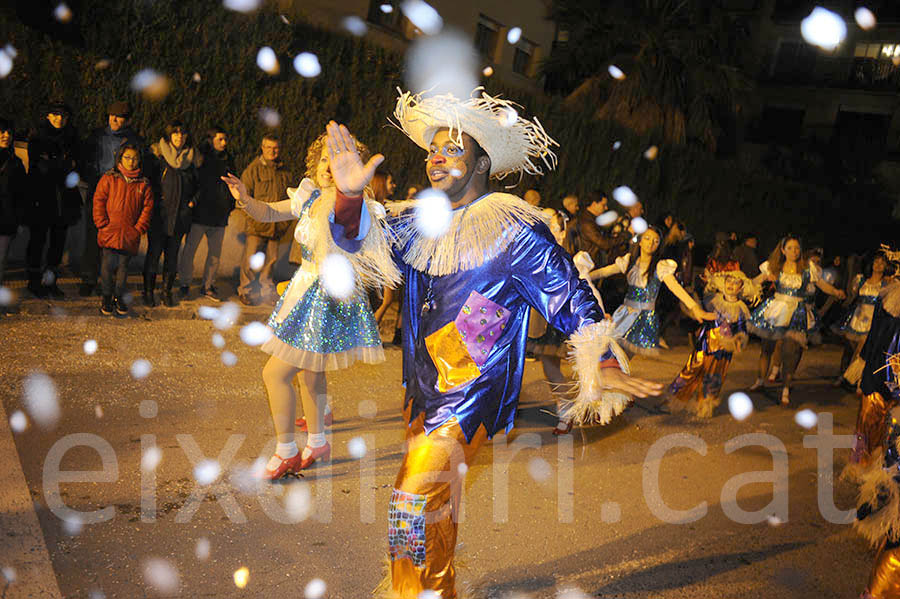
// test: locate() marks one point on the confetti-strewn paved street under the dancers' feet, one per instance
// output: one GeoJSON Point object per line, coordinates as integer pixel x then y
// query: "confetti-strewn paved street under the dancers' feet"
{"type": "Point", "coordinates": [540, 515]}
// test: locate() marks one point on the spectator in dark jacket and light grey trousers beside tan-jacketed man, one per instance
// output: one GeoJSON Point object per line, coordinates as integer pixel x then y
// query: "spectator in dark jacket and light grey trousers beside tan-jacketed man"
{"type": "Point", "coordinates": [210, 215]}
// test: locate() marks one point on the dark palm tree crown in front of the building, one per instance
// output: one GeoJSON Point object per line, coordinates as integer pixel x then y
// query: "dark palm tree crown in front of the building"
{"type": "Point", "coordinates": [679, 56]}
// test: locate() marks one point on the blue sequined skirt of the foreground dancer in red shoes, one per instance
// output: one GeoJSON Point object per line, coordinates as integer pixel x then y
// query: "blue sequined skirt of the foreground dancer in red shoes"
{"type": "Point", "coordinates": [319, 333]}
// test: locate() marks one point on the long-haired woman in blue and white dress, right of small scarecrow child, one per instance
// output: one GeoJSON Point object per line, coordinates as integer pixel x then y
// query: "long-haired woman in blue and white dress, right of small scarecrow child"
{"type": "Point", "coordinates": [786, 315]}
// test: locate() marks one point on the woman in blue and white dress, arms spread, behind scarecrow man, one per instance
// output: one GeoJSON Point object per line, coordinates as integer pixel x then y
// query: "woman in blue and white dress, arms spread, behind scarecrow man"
{"type": "Point", "coordinates": [637, 324]}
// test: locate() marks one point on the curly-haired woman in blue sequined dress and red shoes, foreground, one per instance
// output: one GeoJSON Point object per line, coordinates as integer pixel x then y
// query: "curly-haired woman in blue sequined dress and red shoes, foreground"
{"type": "Point", "coordinates": [323, 320]}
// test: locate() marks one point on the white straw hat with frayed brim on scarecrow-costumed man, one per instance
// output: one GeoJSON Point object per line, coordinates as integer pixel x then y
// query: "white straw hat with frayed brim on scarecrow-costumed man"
{"type": "Point", "coordinates": [514, 145]}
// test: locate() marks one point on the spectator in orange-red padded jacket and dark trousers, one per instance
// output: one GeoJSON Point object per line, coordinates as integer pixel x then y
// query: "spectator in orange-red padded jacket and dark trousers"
{"type": "Point", "coordinates": [123, 204]}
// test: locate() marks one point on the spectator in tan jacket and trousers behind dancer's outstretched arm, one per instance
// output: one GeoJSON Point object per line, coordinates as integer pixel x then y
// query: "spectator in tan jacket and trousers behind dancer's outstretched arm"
{"type": "Point", "coordinates": [267, 180]}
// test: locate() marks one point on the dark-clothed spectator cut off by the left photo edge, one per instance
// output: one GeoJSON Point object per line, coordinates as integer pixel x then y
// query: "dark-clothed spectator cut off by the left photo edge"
{"type": "Point", "coordinates": [13, 191]}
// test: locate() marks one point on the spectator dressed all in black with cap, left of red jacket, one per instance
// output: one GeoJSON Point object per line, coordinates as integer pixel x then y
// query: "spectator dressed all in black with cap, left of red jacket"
{"type": "Point", "coordinates": [54, 203]}
